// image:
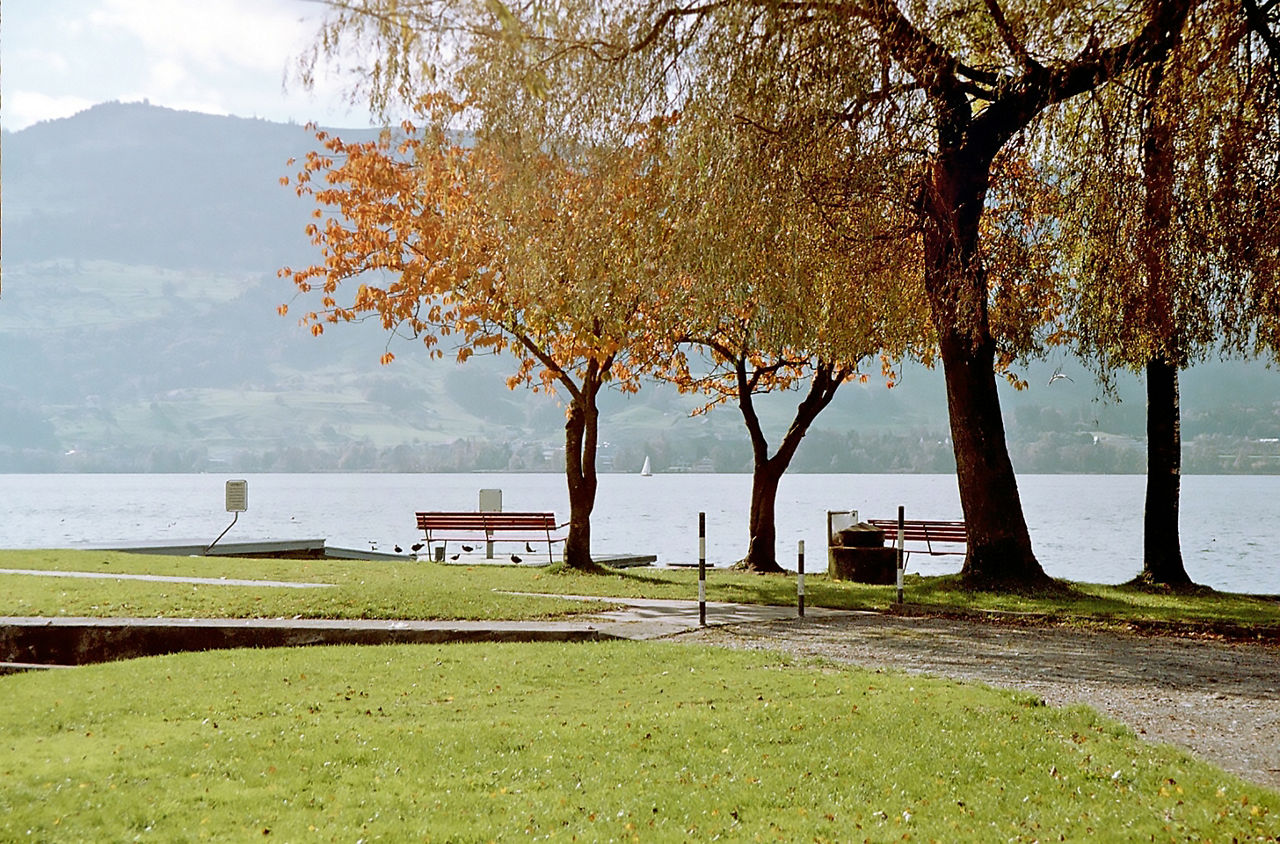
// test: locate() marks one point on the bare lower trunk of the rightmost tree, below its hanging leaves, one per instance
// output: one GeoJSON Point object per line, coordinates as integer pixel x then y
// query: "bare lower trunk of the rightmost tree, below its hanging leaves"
{"type": "Point", "coordinates": [1162, 549]}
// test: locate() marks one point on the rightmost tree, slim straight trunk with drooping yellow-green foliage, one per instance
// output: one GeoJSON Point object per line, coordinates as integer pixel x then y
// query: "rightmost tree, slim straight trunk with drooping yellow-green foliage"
{"type": "Point", "coordinates": [1158, 273]}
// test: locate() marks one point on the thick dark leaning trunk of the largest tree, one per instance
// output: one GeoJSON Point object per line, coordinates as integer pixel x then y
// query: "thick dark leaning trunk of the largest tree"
{"type": "Point", "coordinates": [1000, 548]}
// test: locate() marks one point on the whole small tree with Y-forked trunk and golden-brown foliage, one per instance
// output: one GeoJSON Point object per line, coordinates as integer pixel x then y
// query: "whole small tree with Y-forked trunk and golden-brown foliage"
{"type": "Point", "coordinates": [779, 290]}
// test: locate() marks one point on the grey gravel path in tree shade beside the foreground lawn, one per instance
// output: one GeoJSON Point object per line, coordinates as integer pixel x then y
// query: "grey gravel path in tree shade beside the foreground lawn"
{"type": "Point", "coordinates": [1219, 701]}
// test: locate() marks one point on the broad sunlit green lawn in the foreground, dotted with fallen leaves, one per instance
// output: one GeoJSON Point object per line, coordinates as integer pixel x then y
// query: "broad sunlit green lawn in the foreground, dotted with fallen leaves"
{"type": "Point", "coordinates": [605, 742]}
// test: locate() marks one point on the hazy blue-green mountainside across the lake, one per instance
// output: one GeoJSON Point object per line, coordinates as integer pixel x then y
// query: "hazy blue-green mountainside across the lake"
{"type": "Point", "coordinates": [139, 332]}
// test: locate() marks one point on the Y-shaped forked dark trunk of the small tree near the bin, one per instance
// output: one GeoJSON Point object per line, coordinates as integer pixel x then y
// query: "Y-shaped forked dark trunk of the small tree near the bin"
{"type": "Point", "coordinates": [767, 472]}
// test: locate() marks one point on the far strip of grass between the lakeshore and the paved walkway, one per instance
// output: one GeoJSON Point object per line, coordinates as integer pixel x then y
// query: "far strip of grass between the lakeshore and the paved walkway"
{"type": "Point", "coordinates": [429, 591]}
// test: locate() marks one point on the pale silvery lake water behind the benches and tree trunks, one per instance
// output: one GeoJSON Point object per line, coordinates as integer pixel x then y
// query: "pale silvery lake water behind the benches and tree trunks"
{"type": "Point", "coordinates": [1084, 527]}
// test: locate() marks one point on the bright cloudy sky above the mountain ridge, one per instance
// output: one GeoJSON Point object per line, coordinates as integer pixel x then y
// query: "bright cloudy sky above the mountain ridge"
{"type": "Point", "coordinates": [221, 57]}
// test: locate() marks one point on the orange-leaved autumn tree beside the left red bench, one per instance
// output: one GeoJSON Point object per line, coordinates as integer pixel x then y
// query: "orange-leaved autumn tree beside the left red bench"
{"type": "Point", "coordinates": [493, 248]}
